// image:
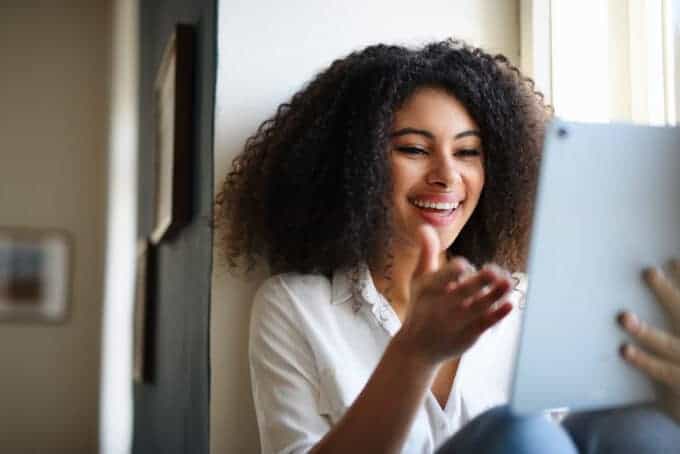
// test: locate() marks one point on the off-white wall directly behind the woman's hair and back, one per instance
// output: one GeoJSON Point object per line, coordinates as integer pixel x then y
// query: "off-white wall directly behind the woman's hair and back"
{"type": "Point", "coordinates": [266, 51]}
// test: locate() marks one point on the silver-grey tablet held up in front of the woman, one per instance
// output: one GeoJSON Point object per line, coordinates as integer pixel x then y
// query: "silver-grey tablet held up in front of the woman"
{"type": "Point", "coordinates": [608, 205]}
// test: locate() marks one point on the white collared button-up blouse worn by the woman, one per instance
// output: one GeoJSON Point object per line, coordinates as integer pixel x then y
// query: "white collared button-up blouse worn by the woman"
{"type": "Point", "coordinates": [313, 346]}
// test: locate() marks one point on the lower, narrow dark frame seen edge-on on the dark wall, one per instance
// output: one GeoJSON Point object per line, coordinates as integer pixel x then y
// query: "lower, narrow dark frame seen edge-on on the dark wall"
{"type": "Point", "coordinates": [143, 313]}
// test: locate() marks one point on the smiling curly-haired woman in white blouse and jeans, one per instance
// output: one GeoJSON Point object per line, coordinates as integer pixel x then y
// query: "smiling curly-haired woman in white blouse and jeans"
{"type": "Point", "coordinates": [377, 196]}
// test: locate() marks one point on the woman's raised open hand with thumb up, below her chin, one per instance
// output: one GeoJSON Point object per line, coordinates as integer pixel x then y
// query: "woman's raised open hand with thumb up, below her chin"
{"type": "Point", "coordinates": [451, 305]}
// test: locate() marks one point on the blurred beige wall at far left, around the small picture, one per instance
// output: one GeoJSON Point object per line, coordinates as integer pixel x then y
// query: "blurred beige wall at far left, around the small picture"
{"type": "Point", "coordinates": [53, 131]}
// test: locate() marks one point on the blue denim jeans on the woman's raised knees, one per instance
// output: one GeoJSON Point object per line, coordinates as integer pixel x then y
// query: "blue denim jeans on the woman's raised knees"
{"type": "Point", "coordinates": [639, 430]}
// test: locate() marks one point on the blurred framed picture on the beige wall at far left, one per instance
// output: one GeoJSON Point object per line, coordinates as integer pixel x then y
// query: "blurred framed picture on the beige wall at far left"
{"type": "Point", "coordinates": [35, 274]}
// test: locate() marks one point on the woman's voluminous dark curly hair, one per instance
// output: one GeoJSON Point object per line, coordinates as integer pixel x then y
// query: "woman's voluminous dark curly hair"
{"type": "Point", "coordinates": [310, 191]}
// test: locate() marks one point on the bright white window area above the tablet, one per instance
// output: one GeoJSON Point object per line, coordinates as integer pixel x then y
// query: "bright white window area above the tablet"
{"type": "Point", "coordinates": [604, 60]}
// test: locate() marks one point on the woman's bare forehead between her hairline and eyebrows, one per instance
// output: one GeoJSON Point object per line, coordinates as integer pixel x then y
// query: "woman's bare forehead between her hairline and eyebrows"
{"type": "Point", "coordinates": [434, 109]}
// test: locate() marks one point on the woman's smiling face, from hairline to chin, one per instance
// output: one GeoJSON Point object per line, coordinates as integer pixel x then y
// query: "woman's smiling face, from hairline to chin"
{"type": "Point", "coordinates": [437, 167]}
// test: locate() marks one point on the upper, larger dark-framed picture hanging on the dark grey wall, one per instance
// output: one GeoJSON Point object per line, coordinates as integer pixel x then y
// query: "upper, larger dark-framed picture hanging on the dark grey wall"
{"type": "Point", "coordinates": [173, 120]}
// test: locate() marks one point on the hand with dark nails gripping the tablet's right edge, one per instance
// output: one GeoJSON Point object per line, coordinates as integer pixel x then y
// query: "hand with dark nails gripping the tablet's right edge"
{"type": "Point", "coordinates": [659, 356]}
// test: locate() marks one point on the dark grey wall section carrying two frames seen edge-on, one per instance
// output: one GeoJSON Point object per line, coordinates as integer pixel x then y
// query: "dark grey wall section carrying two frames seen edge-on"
{"type": "Point", "coordinates": [172, 412]}
